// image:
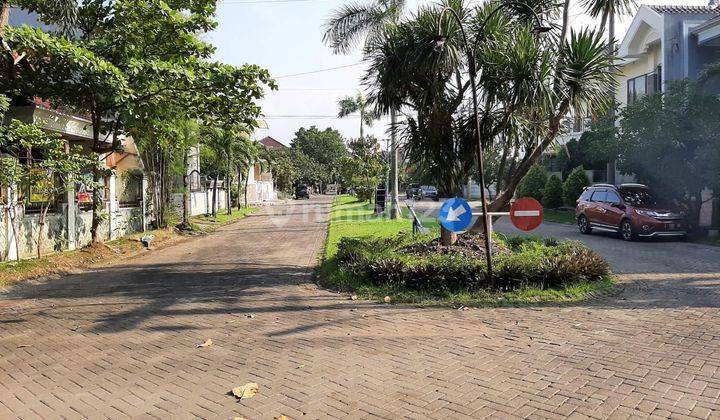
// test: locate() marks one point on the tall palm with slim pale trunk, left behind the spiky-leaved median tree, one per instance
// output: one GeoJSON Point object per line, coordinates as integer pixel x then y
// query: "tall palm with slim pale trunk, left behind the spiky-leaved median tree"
{"type": "Point", "coordinates": [347, 27]}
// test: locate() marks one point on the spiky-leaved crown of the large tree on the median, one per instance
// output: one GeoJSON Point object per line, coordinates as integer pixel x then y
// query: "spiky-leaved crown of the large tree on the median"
{"type": "Point", "coordinates": [526, 87]}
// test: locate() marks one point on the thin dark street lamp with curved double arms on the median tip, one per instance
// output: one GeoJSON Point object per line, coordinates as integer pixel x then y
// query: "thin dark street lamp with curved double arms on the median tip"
{"type": "Point", "coordinates": [538, 29]}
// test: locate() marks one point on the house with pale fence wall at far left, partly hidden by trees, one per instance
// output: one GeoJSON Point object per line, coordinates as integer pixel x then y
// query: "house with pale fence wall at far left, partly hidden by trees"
{"type": "Point", "coordinates": [69, 218]}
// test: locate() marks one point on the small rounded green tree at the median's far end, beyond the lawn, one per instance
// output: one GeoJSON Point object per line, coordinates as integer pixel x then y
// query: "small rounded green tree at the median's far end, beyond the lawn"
{"type": "Point", "coordinates": [364, 168]}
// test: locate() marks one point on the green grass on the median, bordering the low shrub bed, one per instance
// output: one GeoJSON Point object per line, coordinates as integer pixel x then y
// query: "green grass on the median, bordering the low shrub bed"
{"type": "Point", "coordinates": [349, 218]}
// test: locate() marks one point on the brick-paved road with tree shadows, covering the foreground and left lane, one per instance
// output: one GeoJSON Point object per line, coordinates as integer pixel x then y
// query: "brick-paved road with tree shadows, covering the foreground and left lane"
{"type": "Point", "coordinates": [120, 342]}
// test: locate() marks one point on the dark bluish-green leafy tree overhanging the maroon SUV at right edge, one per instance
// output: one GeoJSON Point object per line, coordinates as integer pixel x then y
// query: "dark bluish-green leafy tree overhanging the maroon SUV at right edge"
{"type": "Point", "coordinates": [670, 142]}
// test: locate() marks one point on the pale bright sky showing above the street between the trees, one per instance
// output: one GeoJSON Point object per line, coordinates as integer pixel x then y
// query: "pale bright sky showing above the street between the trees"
{"type": "Point", "coordinates": [285, 37]}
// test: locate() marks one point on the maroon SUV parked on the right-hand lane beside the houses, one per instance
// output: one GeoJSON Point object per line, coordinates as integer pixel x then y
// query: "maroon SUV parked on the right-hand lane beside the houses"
{"type": "Point", "coordinates": [630, 210]}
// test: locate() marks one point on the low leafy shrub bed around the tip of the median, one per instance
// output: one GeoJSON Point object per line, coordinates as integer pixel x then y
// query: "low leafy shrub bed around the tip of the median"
{"type": "Point", "coordinates": [533, 263]}
